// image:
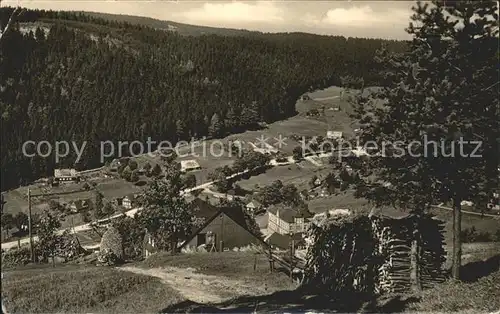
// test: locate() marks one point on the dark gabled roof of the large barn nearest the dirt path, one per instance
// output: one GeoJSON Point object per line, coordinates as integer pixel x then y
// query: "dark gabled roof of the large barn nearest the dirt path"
{"type": "Point", "coordinates": [204, 209]}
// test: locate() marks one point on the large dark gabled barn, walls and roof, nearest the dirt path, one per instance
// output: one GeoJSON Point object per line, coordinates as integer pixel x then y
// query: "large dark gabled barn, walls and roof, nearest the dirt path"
{"type": "Point", "coordinates": [222, 229]}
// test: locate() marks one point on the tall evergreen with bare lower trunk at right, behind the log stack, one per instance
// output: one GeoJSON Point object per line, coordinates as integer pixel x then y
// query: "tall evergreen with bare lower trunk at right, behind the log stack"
{"type": "Point", "coordinates": [441, 90]}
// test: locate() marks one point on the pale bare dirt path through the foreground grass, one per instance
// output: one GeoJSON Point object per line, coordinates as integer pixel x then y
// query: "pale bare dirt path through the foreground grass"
{"type": "Point", "coordinates": [197, 287]}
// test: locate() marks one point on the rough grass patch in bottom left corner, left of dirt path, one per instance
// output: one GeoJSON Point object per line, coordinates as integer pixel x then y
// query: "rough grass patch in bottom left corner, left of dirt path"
{"type": "Point", "coordinates": [84, 290]}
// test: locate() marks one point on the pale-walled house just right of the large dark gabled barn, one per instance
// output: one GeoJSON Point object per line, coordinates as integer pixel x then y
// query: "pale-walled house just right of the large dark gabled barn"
{"type": "Point", "coordinates": [285, 220]}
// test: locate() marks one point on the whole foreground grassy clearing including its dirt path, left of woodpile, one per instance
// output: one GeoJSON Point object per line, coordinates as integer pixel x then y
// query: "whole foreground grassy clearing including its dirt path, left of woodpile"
{"type": "Point", "coordinates": [73, 289]}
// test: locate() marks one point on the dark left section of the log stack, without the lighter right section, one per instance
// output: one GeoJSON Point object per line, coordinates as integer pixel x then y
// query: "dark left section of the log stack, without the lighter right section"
{"type": "Point", "coordinates": [340, 255]}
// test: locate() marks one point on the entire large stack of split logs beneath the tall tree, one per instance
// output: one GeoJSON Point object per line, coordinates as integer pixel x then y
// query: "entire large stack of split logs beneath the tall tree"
{"type": "Point", "coordinates": [375, 254]}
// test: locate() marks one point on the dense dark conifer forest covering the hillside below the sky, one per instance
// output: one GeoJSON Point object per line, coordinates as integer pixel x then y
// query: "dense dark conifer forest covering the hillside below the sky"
{"type": "Point", "coordinates": [69, 76]}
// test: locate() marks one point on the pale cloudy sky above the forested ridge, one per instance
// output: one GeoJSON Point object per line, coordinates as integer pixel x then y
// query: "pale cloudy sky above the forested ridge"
{"type": "Point", "coordinates": [381, 19]}
